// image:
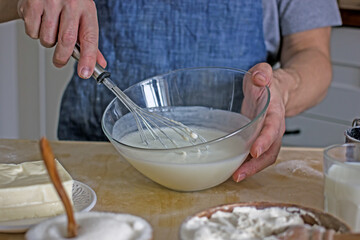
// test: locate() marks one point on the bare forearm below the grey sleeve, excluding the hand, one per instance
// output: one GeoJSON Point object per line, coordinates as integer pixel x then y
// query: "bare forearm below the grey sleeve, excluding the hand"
{"type": "Point", "coordinates": [305, 75]}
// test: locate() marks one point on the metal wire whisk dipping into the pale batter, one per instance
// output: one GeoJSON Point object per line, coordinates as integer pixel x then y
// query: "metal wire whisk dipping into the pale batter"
{"type": "Point", "coordinates": [146, 121]}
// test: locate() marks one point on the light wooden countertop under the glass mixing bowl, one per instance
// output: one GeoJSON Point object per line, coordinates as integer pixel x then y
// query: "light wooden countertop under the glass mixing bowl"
{"type": "Point", "coordinates": [295, 178]}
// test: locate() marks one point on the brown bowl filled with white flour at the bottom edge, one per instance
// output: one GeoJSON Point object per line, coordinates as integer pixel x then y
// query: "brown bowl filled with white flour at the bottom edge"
{"type": "Point", "coordinates": [257, 220]}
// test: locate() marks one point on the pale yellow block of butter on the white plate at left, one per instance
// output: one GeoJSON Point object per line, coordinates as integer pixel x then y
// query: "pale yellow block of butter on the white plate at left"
{"type": "Point", "coordinates": [27, 192]}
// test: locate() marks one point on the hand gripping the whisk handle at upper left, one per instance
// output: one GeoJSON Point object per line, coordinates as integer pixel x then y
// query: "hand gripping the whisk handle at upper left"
{"type": "Point", "coordinates": [63, 23]}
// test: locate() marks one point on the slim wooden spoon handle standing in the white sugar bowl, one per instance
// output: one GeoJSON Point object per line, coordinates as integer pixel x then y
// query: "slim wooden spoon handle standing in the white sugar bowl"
{"type": "Point", "coordinates": [50, 164]}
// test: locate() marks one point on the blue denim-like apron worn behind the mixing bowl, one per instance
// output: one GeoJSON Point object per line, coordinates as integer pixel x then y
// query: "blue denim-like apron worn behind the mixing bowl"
{"type": "Point", "coordinates": [141, 39]}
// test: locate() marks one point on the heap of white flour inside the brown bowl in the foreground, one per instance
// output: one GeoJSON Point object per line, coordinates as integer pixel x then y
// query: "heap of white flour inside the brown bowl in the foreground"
{"type": "Point", "coordinates": [242, 223]}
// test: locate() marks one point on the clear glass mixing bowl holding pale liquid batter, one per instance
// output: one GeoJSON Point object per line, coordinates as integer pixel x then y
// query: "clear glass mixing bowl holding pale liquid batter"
{"type": "Point", "coordinates": [216, 98]}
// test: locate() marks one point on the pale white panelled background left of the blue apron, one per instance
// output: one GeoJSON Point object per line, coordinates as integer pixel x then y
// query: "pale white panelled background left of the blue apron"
{"type": "Point", "coordinates": [30, 93]}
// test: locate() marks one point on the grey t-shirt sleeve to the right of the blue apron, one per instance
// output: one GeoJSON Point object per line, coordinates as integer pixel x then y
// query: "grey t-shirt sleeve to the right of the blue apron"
{"type": "Point", "coordinates": [284, 17]}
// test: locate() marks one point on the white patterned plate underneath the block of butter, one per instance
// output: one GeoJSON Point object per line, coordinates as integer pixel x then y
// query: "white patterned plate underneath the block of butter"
{"type": "Point", "coordinates": [84, 199]}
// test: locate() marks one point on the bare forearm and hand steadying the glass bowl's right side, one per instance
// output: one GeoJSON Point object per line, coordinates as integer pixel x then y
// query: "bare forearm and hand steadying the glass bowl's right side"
{"type": "Point", "coordinates": [300, 83]}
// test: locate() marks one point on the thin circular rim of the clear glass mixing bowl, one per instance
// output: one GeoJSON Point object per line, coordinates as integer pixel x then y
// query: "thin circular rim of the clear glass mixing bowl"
{"type": "Point", "coordinates": [197, 145]}
